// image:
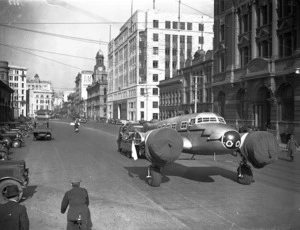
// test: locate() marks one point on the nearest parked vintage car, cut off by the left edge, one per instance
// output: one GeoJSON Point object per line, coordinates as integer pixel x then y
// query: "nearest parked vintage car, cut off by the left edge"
{"type": "Point", "coordinates": [13, 172]}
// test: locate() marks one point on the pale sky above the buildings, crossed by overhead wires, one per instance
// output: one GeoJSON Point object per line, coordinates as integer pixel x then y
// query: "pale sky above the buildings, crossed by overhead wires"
{"type": "Point", "coordinates": [57, 39]}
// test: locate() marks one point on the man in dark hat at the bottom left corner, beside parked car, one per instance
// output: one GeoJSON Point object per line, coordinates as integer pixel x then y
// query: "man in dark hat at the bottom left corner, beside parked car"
{"type": "Point", "coordinates": [13, 216]}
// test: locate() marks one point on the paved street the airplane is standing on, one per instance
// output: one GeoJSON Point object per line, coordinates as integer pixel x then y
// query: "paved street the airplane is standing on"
{"type": "Point", "coordinates": [195, 194]}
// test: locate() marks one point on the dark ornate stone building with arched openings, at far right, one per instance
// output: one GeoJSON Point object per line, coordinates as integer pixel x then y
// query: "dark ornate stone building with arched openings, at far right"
{"type": "Point", "coordinates": [256, 64]}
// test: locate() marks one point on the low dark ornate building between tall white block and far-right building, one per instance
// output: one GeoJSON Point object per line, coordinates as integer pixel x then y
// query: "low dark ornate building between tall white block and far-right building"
{"type": "Point", "coordinates": [190, 90]}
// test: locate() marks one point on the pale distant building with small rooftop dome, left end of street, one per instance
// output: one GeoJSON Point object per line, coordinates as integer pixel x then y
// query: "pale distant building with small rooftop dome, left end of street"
{"type": "Point", "coordinates": [41, 95]}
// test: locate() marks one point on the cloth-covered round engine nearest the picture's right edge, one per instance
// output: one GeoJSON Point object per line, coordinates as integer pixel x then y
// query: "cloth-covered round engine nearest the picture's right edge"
{"type": "Point", "coordinates": [260, 148]}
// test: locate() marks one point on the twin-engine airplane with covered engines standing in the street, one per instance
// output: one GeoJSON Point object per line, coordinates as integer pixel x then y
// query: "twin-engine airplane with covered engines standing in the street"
{"type": "Point", "coordinates": [205, 133]}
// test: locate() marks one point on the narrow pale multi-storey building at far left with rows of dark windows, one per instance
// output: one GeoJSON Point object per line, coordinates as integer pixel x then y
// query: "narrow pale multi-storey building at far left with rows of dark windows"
{"type": "Point", "coordinates": [17, 81]}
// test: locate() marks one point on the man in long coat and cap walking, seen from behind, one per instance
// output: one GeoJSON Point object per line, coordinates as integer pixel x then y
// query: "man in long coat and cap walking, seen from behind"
{"type": "Point", "coordinates": [77, 199]}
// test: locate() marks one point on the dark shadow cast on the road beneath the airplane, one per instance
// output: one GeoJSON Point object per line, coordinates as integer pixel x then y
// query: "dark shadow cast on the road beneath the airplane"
{"type": "Point", "coordinates": [199, 174]}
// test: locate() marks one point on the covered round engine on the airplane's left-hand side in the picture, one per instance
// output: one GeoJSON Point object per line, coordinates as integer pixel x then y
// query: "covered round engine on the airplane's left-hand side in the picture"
{"type": "Point", "coordinates": [163, 146]}
